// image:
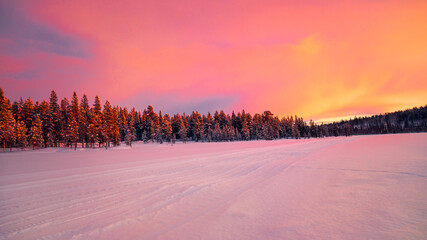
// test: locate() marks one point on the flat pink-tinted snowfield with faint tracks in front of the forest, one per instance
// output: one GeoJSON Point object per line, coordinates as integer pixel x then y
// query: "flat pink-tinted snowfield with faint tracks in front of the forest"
{"type": "Point", "coordinates": [363, 187]}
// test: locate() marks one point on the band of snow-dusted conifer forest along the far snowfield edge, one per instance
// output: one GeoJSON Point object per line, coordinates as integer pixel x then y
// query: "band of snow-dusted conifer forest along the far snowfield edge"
{"type": "Point", "coordinates": [81, 123]}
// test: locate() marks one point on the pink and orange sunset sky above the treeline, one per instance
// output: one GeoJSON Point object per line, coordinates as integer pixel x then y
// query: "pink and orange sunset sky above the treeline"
{"type": "Point", "coordinates": [316, 59]}
